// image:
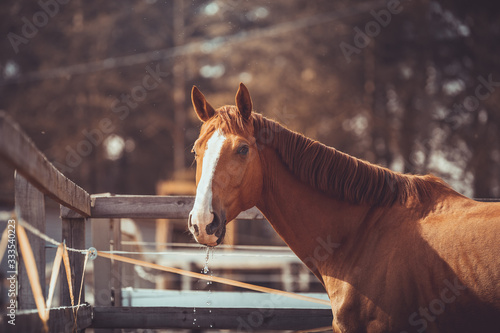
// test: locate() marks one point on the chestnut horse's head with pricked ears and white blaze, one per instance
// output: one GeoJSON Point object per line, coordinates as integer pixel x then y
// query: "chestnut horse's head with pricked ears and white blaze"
{"type": "Point", "coordinates": [228, 166]}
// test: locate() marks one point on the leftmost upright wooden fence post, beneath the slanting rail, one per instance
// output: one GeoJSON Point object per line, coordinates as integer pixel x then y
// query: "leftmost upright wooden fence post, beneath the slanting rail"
{"type": "Point", "coordinates": [30, 206]}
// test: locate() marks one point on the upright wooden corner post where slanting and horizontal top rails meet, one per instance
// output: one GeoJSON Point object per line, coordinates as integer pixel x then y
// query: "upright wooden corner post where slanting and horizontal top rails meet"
{"type": "Point", "coordinates": [73, 232]}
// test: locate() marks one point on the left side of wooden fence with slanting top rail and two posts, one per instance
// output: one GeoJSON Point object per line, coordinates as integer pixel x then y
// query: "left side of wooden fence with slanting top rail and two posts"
{"type": "Point", "coordinates": [36, 177]}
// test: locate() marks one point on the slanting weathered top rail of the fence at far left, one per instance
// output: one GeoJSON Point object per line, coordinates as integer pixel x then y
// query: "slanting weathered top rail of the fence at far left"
{"type": "Point", "coordinates": [17, 149]}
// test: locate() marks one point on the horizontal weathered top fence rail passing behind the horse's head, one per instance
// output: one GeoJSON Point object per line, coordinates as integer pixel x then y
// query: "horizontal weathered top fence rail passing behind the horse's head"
{"type": "Point", "coordinates": [148, 206]}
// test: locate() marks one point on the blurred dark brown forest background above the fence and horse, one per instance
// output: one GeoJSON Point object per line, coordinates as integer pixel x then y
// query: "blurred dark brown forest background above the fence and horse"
{"type": "Point", "coordinates": [102, 87]}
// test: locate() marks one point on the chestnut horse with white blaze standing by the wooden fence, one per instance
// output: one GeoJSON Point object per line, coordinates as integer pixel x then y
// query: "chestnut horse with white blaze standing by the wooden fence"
{"type": "Point", "coordinates": [395, 252]}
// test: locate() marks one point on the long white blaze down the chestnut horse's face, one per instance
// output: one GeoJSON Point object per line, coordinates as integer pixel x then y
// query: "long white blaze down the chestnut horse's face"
{"type": "Point", "coordinates": [202, 209]}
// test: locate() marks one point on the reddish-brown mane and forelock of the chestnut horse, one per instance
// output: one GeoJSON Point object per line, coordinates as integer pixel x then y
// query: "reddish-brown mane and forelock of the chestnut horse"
{"type": "Point", "coordinates": [324, 168]}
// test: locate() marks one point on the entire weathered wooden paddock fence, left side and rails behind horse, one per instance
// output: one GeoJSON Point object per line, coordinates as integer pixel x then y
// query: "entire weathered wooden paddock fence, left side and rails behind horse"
{"type": "Point", "coordinates": [35, 178]}
